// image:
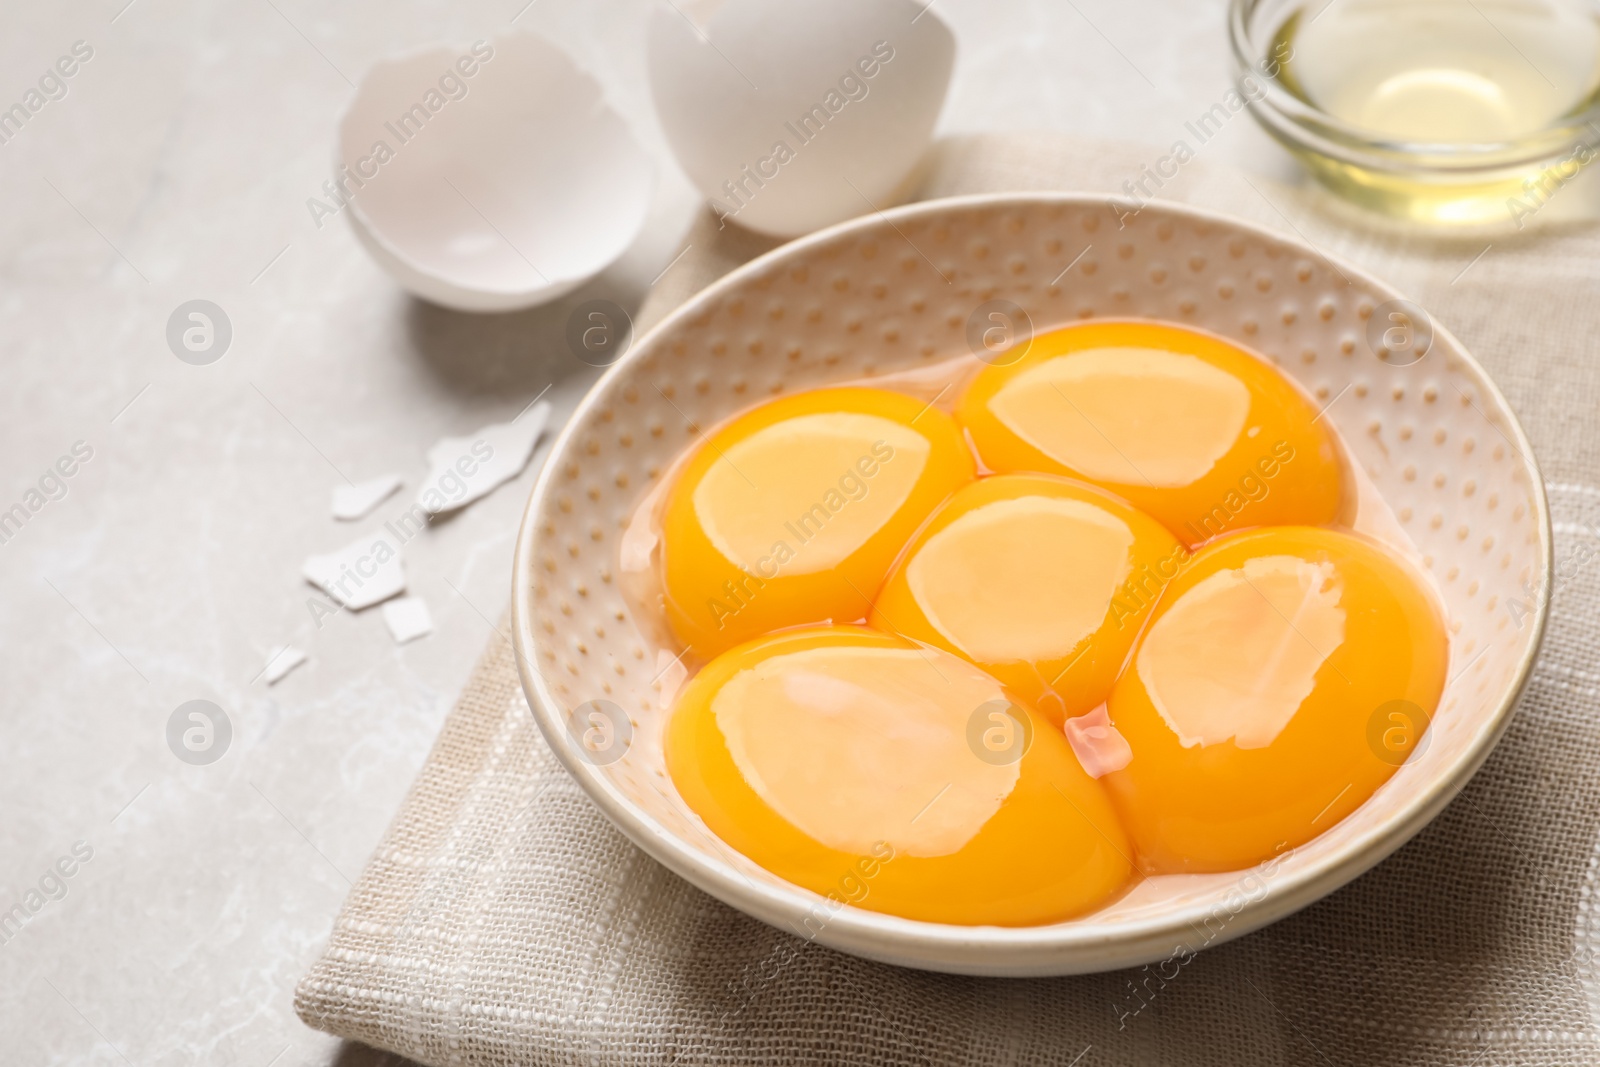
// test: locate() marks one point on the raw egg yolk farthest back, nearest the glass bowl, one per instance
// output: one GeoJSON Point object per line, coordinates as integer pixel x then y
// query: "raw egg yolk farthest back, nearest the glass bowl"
{"type": "Point", "coordinates": [1186, 426]}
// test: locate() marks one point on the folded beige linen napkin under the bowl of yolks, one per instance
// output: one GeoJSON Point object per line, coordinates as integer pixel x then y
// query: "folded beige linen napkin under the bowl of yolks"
{"type": "Point", "coordinates": [505, 922]}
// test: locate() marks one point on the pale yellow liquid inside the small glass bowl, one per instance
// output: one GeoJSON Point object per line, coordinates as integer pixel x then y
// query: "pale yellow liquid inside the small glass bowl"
{"type": "Point", "coordinates": [1442, 73]}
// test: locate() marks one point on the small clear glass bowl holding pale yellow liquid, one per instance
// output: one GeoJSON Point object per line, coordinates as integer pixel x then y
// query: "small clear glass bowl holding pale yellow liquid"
{"type": "Point", "coordinates": [1442, 177]}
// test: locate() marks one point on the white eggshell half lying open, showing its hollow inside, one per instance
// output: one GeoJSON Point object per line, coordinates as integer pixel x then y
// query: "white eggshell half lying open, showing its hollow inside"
{"type": "Point", "coordinates": [490, 177]}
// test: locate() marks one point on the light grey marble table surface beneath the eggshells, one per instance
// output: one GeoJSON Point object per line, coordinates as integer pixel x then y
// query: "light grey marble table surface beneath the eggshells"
{"type": "Point", "coordinates": [178, 903]}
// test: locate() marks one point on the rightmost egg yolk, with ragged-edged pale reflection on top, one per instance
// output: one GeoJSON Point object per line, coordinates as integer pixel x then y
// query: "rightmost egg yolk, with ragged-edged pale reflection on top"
{"type": "Point", "coordinates": [1258, 697]}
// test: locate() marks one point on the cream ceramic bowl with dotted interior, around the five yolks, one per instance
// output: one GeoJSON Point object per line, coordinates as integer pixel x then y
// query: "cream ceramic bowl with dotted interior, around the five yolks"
{"type": "Point", "coordinates": [858, 305]}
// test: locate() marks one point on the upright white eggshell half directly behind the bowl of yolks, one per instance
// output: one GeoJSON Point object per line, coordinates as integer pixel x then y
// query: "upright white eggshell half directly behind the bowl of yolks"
{"type": "Point", "coordinates": [796, 116]}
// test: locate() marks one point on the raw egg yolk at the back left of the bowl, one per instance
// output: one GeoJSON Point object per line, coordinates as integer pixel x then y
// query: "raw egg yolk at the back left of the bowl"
{"type": "Point", "coordinates": [794, 511]}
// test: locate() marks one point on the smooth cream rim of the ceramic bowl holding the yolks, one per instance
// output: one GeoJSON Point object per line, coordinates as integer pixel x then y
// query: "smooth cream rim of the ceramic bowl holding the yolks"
{"type": "Point", "coordinates": [1017, 951]}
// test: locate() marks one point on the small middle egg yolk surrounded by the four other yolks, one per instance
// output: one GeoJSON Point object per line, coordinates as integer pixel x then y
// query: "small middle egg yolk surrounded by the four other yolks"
{"type": "Point", "coordinates": [1041, 581]}
